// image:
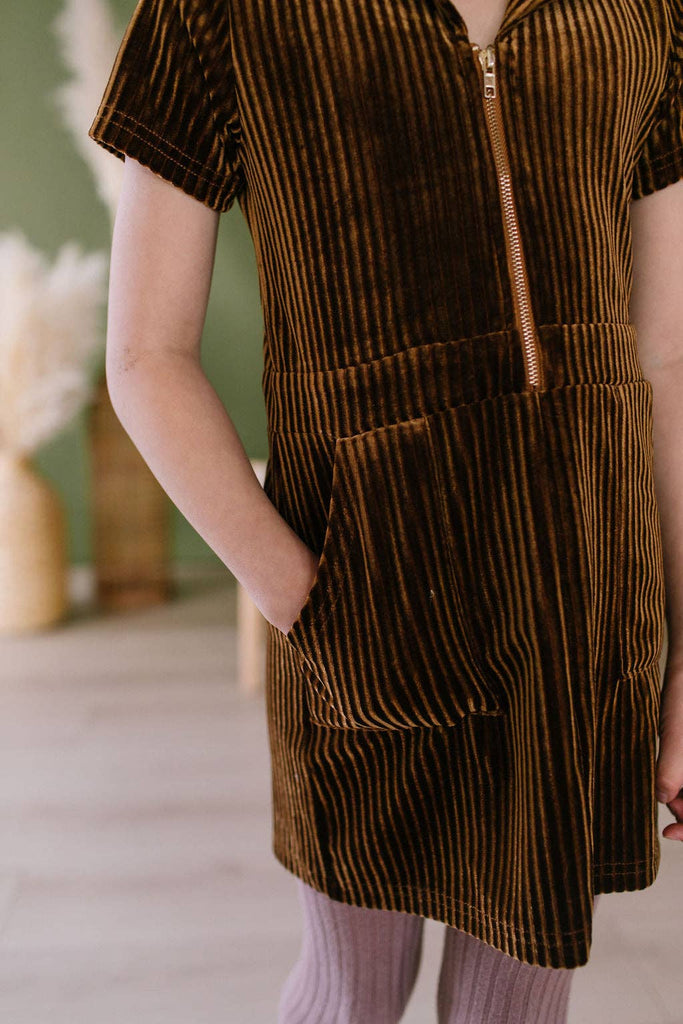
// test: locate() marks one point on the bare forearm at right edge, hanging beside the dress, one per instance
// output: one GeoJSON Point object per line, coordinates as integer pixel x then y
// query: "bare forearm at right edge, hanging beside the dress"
{"type": "Point", "coordinates": [667, 383]}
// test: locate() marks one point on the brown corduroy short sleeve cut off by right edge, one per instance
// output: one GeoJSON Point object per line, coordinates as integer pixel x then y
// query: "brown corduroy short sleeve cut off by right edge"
{"type": "Point", "coordinates": [660, 162]}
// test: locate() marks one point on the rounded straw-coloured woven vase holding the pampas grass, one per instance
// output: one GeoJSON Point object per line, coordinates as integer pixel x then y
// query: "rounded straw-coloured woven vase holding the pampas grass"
{"type": "Point", "coordinates": [33, 549]}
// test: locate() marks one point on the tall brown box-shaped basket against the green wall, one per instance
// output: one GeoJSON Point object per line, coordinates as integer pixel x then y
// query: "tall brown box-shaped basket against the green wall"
{"type": "Point", "coordinates": [131, 516]}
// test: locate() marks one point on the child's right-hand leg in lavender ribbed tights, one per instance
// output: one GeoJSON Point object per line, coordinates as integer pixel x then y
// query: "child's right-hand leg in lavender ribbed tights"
{"type": "Point", "coordinates": [481, 985]}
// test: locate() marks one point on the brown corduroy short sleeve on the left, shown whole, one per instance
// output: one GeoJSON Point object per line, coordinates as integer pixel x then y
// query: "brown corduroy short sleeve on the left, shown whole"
{"type": "Point", "coordinates": [170, 101]}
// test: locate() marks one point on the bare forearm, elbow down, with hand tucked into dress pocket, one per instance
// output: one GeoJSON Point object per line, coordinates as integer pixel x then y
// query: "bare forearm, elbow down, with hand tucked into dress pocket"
{"type": "Point", "coordinates": [178, 422]}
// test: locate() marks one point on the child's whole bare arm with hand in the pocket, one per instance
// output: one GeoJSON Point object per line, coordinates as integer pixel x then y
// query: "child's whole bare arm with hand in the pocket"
{"type": "Point", "coordinates": [163, 254]}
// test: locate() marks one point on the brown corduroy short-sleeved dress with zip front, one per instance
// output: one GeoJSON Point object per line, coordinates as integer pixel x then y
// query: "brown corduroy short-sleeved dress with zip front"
{"type": "Point", "coordinates": [463, 718]}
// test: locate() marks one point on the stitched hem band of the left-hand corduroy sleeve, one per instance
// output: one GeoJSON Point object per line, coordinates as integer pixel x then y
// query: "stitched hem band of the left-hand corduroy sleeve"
{"type": "Point", "coordinates": [123, 136]}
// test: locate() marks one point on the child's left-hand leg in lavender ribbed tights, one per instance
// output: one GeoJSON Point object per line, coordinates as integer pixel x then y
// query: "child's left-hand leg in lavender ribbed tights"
{"type": "Point", "coordinates": [357, 965]}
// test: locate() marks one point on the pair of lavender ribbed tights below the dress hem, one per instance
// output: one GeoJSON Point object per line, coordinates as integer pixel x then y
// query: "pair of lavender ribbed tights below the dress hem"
{"type": "Point", "coordinates": [359, 966]}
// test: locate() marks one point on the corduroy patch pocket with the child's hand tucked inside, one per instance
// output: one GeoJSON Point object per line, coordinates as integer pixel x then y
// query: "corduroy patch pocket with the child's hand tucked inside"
{"type": "Point", "coordinates": [383, 633]}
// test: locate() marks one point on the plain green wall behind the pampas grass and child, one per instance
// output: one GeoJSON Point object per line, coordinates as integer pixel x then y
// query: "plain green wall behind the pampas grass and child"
{"type": "Point", "coordinates": [48, 192]}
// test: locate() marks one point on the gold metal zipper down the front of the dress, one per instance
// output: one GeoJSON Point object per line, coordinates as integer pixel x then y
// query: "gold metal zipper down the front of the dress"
{"type": "Point", "coordinates": [518, 266]}
